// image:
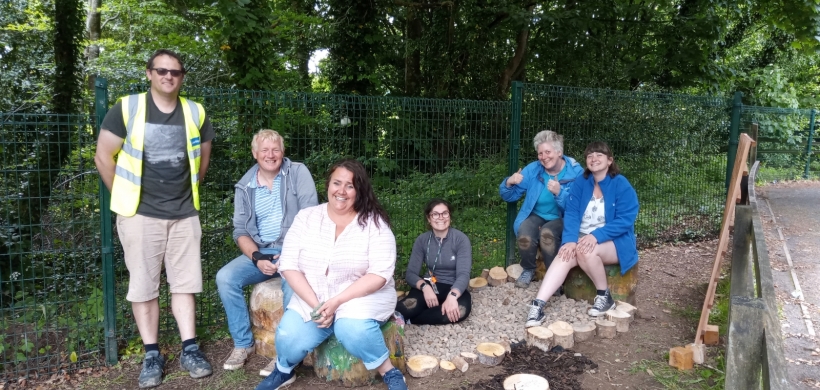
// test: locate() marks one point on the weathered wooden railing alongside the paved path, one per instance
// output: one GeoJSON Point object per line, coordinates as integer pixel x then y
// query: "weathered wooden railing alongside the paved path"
{"type": "Point", "coordinates": [754, 353]}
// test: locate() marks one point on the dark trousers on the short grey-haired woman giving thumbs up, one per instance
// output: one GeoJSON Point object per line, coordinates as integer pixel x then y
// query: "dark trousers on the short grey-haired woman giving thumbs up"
{"type": "Point", "coordinates": [537, 233]}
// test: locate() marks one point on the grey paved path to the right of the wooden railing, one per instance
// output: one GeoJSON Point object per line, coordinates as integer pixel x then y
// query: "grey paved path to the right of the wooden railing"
{"type": "Point", "coordinates": [796, 222]}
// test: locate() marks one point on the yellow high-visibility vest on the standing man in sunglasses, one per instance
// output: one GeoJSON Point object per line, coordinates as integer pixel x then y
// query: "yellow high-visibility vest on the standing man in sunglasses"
{"type": "Point", "coordinates": [125, 192]}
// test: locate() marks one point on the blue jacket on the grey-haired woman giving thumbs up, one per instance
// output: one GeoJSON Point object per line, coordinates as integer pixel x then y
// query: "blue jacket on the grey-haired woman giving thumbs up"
{"type": "Point", "coordinates": [533, 184]}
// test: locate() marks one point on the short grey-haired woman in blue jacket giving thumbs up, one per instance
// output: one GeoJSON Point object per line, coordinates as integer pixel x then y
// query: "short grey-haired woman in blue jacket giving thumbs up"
{"type": "Point", "coordinates": [546, 183]}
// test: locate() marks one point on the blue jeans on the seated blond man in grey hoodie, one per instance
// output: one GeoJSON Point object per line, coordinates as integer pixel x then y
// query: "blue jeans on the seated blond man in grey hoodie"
{"type": "Point", "coordinates": [231, 281]}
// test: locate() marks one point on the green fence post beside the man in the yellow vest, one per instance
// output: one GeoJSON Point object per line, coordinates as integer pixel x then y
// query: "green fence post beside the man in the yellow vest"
{"type": "Point", "coordinates": [106, 237]}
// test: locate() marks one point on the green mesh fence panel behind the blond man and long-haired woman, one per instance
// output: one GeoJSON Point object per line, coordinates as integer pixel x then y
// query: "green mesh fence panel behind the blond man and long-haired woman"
{"type": "Point", "coordinates": [414, 149]}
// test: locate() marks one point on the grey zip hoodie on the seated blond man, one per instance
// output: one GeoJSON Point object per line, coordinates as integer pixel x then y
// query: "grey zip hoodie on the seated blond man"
{"type": "Point", "coordinates": [298, 192]}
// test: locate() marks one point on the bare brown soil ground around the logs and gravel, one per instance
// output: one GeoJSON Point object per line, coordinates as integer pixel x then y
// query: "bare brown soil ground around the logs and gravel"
{"type": "Point", "coordinates": [672, 284]}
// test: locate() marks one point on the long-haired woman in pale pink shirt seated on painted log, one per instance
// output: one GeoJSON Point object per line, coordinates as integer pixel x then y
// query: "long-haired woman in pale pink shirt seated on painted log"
{"type": "Point", "coordinates": [339, 258]}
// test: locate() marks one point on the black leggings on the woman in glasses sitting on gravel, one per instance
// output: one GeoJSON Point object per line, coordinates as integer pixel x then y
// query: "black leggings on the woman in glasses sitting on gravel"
{"type": "Point", "coordinates": [414, 308]}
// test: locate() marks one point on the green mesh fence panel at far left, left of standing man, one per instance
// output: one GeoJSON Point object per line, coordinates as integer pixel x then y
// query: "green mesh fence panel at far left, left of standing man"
{"type": "Point", "coordinates": [51, 297]}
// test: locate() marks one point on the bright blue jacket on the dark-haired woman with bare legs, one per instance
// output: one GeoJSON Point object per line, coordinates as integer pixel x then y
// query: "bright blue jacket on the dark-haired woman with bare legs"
{"type": "Point", "coordinates": [621, 210]}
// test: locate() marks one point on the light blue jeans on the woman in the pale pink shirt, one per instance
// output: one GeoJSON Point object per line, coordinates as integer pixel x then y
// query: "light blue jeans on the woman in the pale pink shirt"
{"type": "Point", "coordinates": [295, 338]}
